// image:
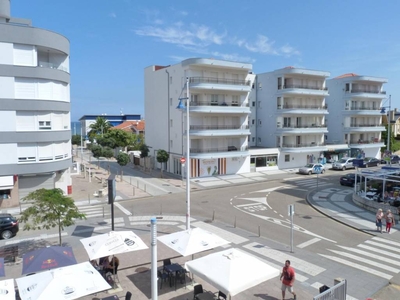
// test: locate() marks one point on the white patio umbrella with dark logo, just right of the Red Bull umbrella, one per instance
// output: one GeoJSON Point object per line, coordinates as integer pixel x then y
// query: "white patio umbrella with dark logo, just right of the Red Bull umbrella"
{"type": "Point", "coordinates": [111, 243]}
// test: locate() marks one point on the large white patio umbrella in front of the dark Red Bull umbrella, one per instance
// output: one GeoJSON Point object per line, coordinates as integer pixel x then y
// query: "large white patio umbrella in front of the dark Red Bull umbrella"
{"type": "Point", "coordinates": [71, 282]}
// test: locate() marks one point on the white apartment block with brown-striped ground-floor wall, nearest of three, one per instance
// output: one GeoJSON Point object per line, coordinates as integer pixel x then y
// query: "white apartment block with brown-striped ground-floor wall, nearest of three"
{"type": "Point", "coordinates": [218, 108]}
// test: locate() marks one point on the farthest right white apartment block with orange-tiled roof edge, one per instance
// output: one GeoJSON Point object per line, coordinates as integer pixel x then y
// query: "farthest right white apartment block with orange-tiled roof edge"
{"type": "Point", "coordinates": [355, 103]}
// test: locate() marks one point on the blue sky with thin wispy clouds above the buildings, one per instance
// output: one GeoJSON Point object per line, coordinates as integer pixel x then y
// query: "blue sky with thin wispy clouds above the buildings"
{"type": "Point", "coordinates": [113, 41]}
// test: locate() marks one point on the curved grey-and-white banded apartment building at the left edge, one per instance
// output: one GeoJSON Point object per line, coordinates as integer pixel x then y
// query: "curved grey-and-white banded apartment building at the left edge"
{"type": "Point", "coordinates": [35, 136]}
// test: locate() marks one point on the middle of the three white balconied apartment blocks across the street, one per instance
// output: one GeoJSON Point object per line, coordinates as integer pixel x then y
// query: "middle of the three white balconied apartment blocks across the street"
{"type": "Point", "coordinates": [289, 117]}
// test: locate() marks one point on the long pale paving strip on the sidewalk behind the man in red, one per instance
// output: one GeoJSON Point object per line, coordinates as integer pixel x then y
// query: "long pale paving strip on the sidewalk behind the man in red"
{"type": "Point", "coordinates": [301, 265]}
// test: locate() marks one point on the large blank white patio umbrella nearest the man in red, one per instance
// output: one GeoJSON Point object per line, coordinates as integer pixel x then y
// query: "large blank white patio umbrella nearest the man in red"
{"type": "Point", "coordinates": [231, 271]}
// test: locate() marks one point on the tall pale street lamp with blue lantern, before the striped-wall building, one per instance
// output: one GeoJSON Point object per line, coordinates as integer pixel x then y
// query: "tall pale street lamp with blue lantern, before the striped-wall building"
{"type": "Point", "coordinates": [181, 106]}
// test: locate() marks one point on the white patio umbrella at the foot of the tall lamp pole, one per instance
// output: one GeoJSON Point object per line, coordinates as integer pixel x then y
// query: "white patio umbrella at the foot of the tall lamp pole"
{"type": "Point", "coordinates": [192, 241]}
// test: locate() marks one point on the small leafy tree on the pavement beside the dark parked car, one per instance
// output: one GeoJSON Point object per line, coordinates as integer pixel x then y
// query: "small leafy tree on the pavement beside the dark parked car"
{"type": "Point", "coordinates": [49, 209]}
